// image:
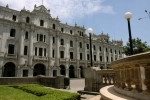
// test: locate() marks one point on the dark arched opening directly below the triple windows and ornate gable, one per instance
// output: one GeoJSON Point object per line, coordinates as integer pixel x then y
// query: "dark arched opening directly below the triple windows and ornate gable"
{"type": "Point", "coordinates": [39, 69]}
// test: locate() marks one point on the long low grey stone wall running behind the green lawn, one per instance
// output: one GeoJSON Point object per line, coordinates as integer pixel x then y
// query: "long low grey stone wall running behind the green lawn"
{"type": "Point", "coordinates": [56, 82]}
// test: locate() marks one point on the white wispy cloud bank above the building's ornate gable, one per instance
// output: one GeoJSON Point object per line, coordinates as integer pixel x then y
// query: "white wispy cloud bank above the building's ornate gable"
{"type": "Point", "coordinates": [65, 9]}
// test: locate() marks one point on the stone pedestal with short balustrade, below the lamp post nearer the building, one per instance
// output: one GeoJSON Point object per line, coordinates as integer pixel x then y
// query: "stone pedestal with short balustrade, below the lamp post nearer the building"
{"type": "Point", "coordinates": [96, 78]}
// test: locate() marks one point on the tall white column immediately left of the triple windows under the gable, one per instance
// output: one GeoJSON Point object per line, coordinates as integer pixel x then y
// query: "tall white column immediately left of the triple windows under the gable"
{"type": "Point", "coordinates": [31, 47]}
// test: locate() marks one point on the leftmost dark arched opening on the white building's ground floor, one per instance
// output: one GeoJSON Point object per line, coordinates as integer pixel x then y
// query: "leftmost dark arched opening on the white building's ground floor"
{"type": "Point", "coordinates": [9, 70]}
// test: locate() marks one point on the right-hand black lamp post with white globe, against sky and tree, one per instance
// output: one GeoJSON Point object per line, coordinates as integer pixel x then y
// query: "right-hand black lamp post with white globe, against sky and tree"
{"type": "Point", "coordinates": [128, 16]}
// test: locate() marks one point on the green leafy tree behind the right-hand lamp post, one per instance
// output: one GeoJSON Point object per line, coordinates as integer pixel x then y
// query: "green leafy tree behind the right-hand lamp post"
{"type": "Point", "coordinates": [138, 47]}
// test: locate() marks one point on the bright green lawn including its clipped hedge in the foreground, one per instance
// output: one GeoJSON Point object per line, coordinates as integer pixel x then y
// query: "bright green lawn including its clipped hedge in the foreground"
{"type": "Point", "coordinates": [34, 92]}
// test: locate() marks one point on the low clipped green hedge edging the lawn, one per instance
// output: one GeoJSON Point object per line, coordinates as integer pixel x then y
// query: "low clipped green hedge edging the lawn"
{"type": "Point", "coordinates": [46, 93]}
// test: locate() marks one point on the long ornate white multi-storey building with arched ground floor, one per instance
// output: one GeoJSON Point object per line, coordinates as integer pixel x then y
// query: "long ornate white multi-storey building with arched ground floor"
{"type": "Point", "coordinates": [33, 43]}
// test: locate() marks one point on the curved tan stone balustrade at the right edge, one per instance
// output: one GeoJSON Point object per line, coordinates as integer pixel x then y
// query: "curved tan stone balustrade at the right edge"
{"type": "Point", "coordinates": [132, 76]}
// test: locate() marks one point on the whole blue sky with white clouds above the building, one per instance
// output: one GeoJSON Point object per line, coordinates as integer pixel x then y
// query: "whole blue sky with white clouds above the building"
{"type": "Point", "coordinates": [105, 16]}
